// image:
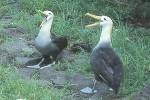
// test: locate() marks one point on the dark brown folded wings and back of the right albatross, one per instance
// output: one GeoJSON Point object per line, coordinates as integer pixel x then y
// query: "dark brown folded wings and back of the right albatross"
{"type": "Point", "coordinates": [107, 67]}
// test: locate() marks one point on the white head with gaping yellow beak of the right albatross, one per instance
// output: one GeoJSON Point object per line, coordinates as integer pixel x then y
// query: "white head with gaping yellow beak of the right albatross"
{"type": "Point", "coordinates": [102, 20]}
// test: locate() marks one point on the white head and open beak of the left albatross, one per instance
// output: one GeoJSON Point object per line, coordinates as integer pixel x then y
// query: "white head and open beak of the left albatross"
{"type": "Point", "coordinates": [48, 16]}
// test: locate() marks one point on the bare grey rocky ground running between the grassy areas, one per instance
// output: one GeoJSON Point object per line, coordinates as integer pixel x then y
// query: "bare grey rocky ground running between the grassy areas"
{"type": "Point", "coordinates": [19, 51]}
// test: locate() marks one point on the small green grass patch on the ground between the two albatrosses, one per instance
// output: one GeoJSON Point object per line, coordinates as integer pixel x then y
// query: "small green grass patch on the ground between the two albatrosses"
{"type": "Point", "coordinates": [81, 64]}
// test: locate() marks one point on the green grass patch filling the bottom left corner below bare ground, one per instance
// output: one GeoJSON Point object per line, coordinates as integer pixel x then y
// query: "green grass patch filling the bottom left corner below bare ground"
{"type": "Point", "coordinates": [12, 87]}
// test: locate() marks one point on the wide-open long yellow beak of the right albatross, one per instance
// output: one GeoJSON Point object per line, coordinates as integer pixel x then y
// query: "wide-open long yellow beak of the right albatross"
{"type": "Point", "coordinates": [95, 17]}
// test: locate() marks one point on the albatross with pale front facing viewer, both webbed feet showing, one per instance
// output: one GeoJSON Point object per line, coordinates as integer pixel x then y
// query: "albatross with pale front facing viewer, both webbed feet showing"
{"type": "Point", "coordinates": [47, 45]}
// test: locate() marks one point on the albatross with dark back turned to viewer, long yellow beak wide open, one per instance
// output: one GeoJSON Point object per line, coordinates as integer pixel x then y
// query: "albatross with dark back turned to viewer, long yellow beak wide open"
{"type": "Point", "coordinates": [105, 63]}
